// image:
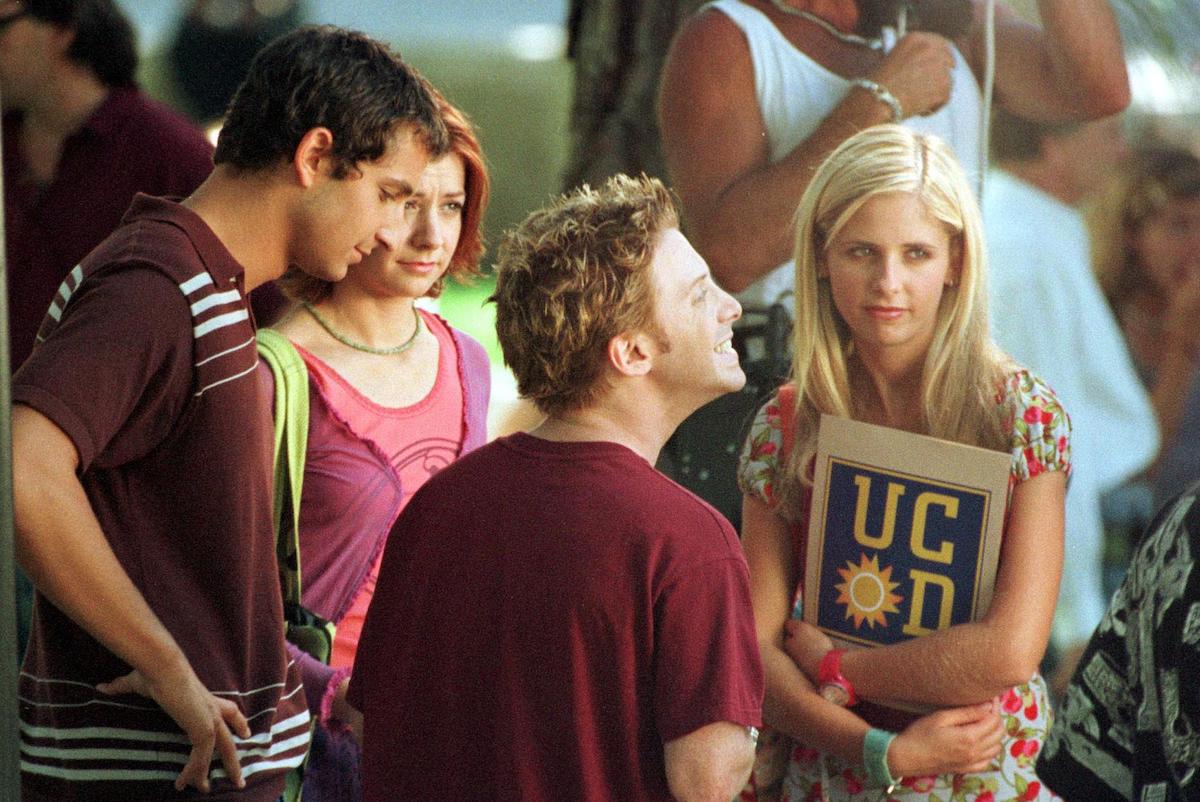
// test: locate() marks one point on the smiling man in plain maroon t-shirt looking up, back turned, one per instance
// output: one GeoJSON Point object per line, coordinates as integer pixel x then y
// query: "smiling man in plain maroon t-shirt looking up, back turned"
{"type": "Point", "coordinates": [555, 620]}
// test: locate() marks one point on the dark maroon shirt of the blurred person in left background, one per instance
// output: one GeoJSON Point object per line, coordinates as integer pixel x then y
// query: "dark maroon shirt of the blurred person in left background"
{"type": "Point", "coordinates": [130, 145]}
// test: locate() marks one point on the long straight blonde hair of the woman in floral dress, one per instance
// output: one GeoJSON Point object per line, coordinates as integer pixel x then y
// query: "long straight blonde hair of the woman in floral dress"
{"type": "Point", "coordinates": [963, 368]}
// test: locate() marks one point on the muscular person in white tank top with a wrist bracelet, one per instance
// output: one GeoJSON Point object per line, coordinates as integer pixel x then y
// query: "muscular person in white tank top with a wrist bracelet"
{"type": "Point", "coordinates": [754, 97]}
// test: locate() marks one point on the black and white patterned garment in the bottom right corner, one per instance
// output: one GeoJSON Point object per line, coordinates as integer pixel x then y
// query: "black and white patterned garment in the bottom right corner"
{"type": "Point", "coordinates": [1127, 729]}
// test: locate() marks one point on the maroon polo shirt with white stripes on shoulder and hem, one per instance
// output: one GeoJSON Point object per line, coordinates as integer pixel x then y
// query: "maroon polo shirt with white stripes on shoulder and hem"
{"type": "Point", "coordinates": [148, 366]}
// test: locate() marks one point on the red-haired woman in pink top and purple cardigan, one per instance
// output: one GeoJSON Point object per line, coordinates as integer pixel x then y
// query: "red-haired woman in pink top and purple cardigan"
{"type": "Point", "coordinates": [397, 394]}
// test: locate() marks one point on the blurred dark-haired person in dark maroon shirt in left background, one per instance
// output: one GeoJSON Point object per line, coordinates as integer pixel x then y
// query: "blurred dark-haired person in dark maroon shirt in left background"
{"type": "Point", "coordinates": [80, 141]}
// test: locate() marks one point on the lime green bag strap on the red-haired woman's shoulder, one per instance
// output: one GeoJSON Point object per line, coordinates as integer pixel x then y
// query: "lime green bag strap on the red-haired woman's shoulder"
{"type": "Point", "coordinates": [291, 448]}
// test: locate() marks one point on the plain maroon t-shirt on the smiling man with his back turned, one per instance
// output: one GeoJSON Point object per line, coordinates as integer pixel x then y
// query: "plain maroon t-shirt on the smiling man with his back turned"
{"type": "Point", "coordinates": [548, 617]}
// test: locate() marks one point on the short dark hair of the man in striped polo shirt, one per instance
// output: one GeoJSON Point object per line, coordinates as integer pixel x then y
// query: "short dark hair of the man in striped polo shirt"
{"type": "Point", "coordinates": [334, 79]}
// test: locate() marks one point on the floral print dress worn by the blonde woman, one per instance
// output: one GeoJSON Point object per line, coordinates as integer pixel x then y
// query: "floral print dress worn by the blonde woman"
{"type": "Point", "coordinates": [1041, 442]}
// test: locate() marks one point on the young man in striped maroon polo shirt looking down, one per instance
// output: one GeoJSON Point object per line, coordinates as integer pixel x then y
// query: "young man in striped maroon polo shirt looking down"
{"type": "Point", "coordinates": [142, 440]}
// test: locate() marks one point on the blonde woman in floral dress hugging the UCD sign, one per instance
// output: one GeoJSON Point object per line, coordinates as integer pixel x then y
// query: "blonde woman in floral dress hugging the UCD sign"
{"type": "Point", "coordinates": [891, 328]}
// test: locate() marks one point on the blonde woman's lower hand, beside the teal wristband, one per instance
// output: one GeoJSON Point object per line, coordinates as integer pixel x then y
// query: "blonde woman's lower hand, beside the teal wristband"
{"type": "Point", "coordinates": [956, 740]}
